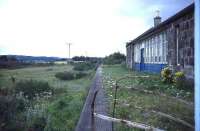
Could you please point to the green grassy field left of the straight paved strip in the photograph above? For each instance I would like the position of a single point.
(60, 111)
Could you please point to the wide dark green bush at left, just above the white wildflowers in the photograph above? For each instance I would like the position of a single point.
(31, 88)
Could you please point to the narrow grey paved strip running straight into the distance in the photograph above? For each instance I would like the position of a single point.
(86, 122)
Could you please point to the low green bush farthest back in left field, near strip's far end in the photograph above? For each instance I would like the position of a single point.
(83, 66)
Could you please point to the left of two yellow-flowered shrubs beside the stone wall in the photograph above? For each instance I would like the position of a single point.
(166, 75)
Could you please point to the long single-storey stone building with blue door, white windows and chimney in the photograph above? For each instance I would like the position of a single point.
(168, 43)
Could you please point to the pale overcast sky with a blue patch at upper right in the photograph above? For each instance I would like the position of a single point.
(93, 27)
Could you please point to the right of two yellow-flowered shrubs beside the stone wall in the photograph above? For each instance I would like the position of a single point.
(179, 79)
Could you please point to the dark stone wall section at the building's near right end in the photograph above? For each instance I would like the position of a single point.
(185, 27)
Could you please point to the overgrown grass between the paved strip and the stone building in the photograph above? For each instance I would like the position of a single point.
(138, 106)
